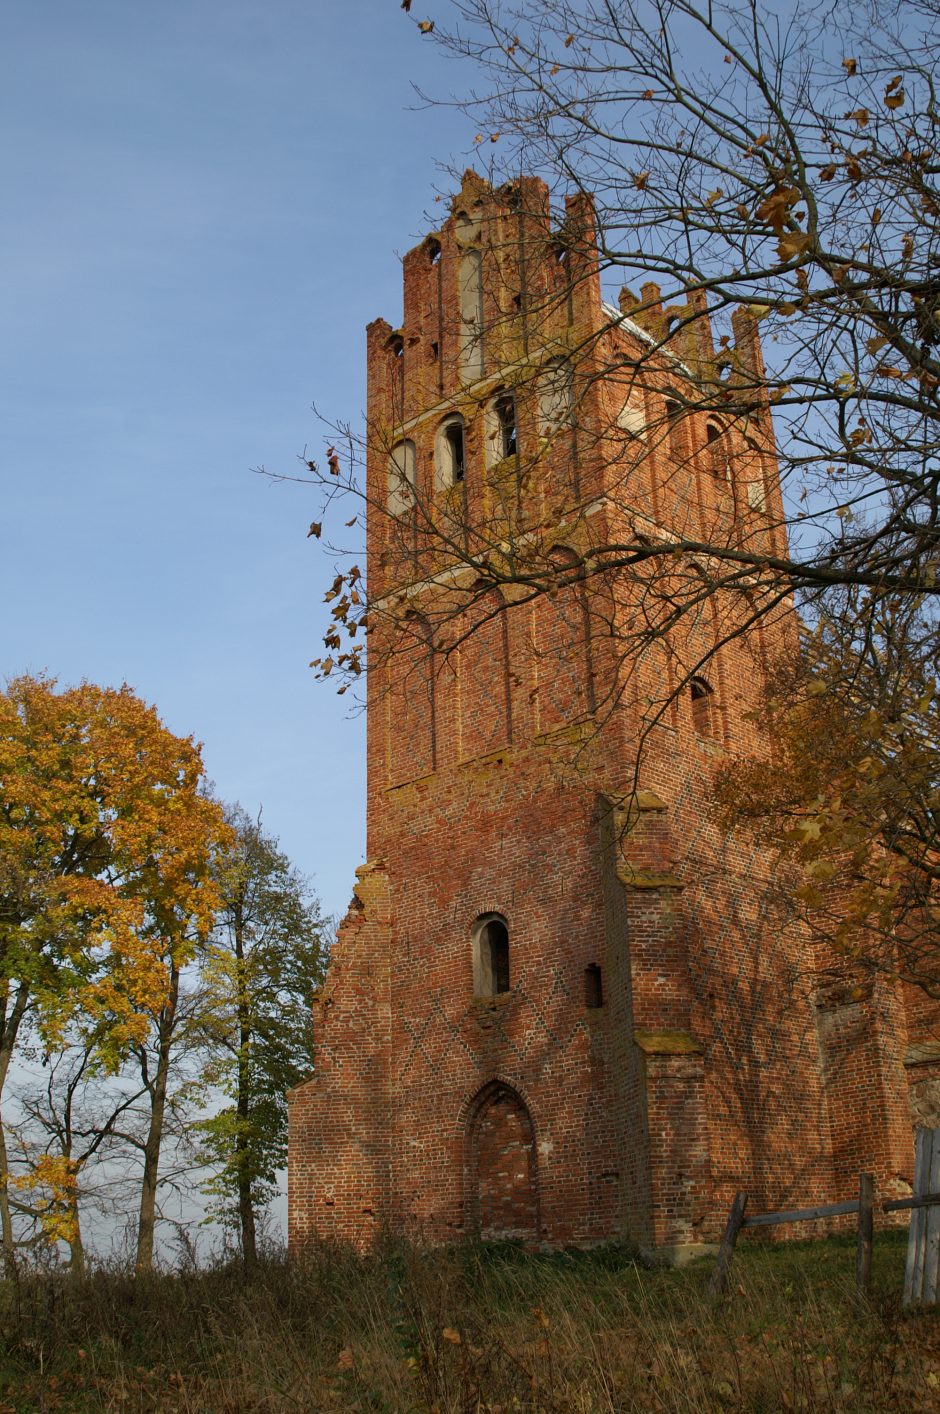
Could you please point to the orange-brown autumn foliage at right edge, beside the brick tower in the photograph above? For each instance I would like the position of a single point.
(850, 794)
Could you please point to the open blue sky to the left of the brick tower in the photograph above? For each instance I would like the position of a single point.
(203, 209)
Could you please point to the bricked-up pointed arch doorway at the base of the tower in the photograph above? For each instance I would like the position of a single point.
(503, 1166)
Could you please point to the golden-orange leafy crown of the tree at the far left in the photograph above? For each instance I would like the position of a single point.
(105, 873)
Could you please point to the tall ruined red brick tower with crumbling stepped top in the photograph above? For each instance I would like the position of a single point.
(562, 1007)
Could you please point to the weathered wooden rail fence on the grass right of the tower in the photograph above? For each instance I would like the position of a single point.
(922, 1275)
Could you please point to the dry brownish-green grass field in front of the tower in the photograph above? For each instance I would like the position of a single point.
(477, 1330)
